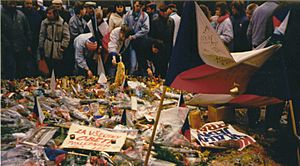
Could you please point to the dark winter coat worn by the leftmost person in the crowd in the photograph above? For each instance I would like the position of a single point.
(15, 31)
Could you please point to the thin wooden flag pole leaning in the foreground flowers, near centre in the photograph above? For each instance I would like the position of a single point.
(155, 125)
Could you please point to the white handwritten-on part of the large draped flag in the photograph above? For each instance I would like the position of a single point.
(214, 53)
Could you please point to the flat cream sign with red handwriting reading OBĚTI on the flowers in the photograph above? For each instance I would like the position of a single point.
(89, 138)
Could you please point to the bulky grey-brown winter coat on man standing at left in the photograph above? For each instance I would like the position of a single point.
(54, 35)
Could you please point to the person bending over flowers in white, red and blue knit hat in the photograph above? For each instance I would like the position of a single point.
(87, 53)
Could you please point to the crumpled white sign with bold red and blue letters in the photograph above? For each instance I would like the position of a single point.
(212, 133)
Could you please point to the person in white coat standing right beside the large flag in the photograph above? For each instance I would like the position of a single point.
(172, 12)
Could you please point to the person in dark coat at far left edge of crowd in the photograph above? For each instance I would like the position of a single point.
(16, 41)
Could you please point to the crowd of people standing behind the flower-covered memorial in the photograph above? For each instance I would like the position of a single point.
(72, 43)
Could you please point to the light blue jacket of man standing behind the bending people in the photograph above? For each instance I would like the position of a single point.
(139, 23)
